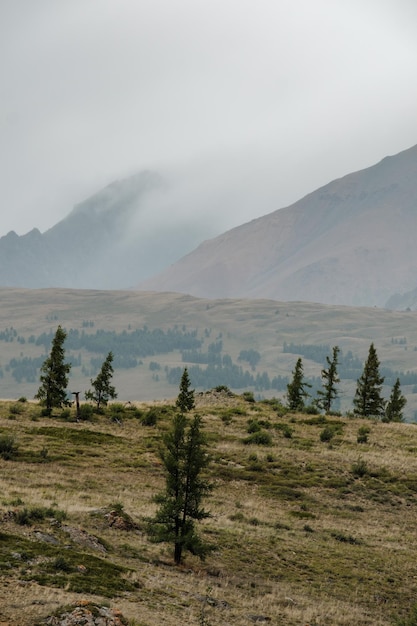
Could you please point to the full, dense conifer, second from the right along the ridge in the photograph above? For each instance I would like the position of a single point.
(368, 401)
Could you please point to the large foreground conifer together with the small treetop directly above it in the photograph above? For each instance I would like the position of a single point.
(184, 457)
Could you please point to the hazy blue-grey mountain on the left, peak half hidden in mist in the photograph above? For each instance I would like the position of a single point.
(108, 241)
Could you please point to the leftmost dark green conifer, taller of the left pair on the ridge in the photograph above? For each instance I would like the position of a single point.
(54, 375)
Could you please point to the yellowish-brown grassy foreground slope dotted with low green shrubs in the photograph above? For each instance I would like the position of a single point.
(313, 528)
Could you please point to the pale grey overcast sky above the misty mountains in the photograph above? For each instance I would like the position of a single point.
(245, 105)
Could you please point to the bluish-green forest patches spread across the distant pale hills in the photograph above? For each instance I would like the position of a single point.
(208, 364)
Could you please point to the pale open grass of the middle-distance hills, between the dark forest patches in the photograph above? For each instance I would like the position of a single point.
(261, 325)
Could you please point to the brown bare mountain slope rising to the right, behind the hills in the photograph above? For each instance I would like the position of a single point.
(350, 242)
